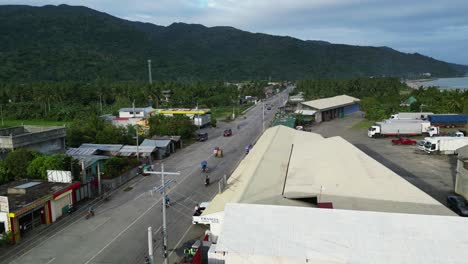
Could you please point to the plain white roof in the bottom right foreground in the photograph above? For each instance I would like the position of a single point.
(292, 235)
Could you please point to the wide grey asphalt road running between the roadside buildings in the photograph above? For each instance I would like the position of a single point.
(118, 231)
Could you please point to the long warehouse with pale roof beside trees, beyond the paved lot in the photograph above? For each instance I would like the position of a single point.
(332, 107)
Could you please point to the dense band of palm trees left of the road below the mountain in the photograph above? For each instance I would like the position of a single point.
(67, 101)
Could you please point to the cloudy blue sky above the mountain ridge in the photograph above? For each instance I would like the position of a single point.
(437, 28)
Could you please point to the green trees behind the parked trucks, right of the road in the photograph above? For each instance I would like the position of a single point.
(381, 97)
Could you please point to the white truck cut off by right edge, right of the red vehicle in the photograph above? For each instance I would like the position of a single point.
(444, 145)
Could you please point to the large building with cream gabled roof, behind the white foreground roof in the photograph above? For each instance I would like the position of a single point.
(296, 168)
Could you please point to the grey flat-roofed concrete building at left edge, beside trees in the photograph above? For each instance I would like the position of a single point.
(45, 139)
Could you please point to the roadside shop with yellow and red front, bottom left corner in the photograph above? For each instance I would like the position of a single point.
(28, 205)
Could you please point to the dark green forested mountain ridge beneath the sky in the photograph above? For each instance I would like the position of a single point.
(80, 44)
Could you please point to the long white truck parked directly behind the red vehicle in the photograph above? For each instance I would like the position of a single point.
(397, 127)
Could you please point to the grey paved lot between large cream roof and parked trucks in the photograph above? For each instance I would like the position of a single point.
(434, 174)
